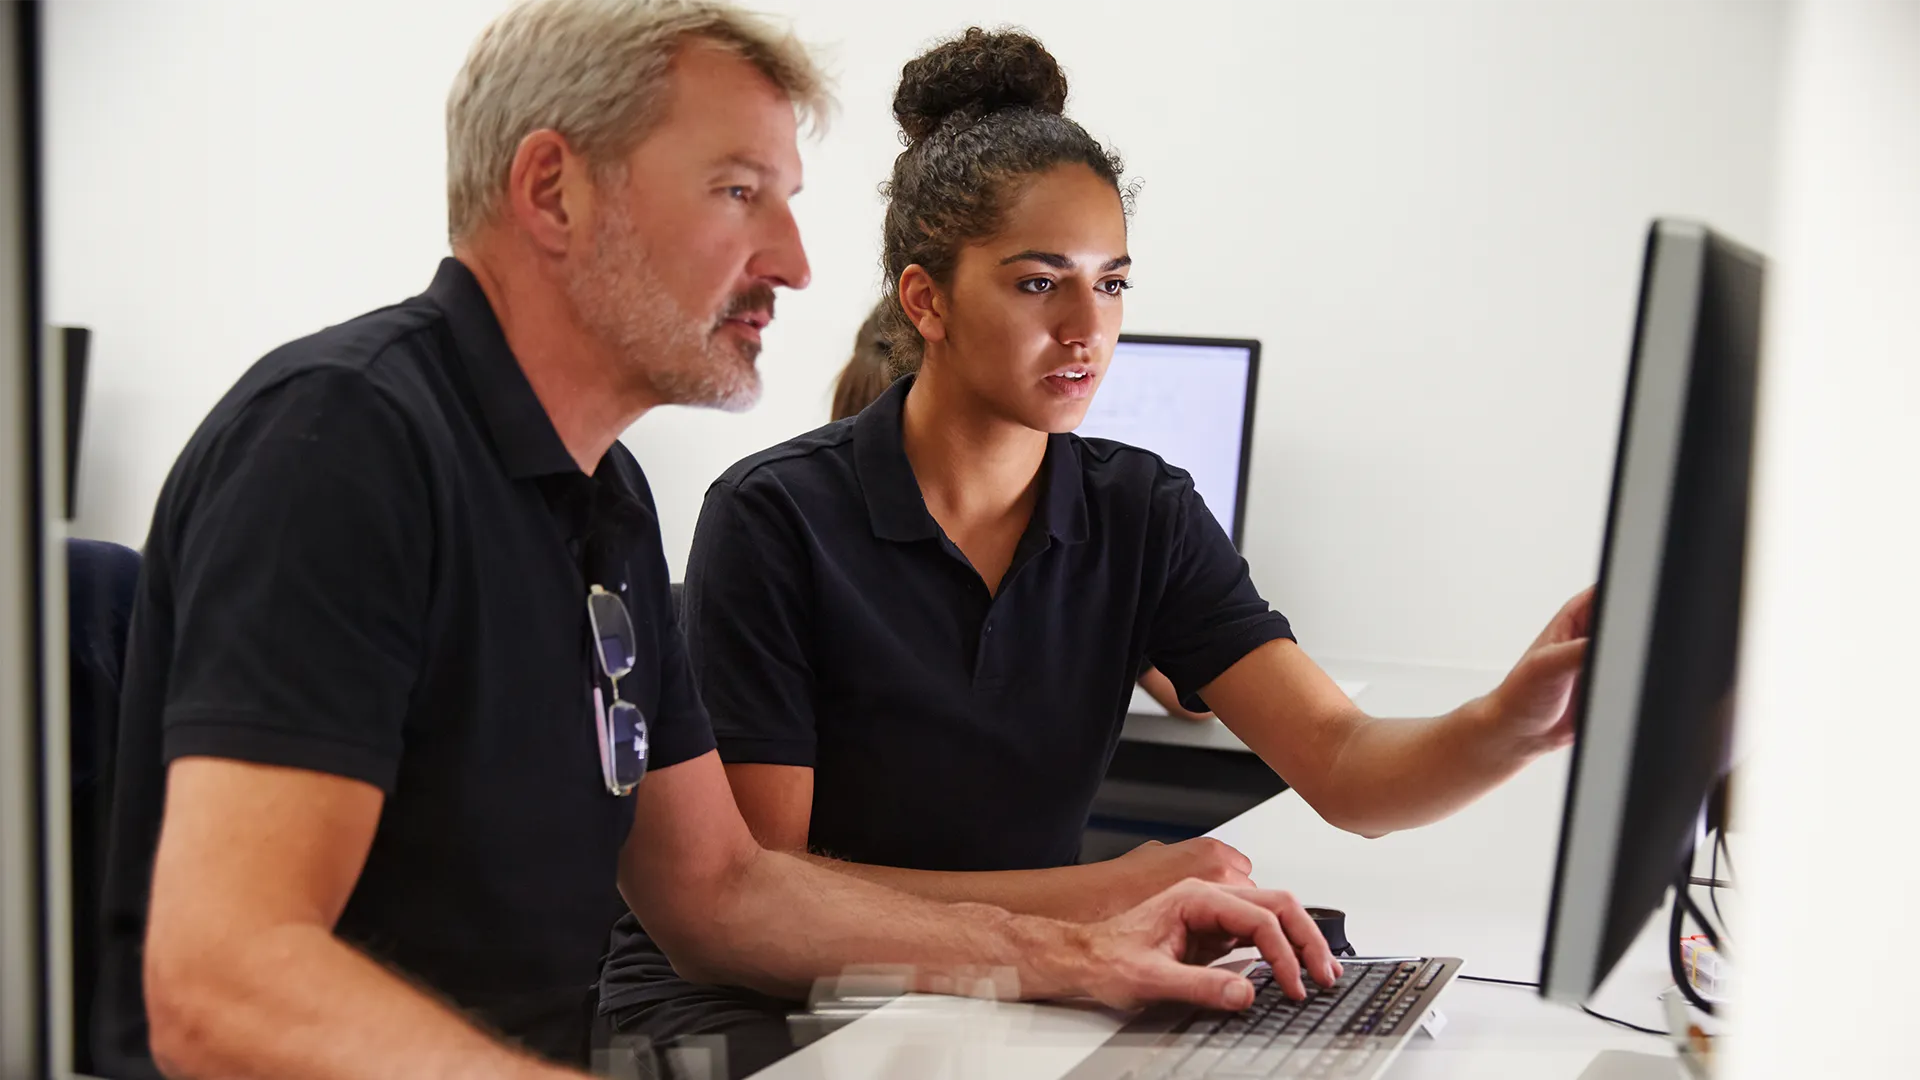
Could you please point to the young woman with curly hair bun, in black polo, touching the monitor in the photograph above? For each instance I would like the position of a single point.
(919, 629)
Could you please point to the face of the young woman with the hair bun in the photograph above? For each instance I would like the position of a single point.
(1032, 314)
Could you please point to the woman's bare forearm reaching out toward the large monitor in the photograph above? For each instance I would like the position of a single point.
(1393, 775)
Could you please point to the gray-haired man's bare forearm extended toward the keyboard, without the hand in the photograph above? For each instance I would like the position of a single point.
(852, 921)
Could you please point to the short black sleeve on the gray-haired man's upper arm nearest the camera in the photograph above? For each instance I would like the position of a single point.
(300, 576)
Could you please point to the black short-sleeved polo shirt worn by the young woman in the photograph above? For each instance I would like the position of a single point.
(834, 626)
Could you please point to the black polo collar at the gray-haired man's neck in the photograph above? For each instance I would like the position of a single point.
(519, 426)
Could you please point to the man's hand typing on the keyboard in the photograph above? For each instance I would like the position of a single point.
(1159, 950)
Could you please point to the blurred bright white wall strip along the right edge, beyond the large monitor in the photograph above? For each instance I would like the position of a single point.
(1829, 706)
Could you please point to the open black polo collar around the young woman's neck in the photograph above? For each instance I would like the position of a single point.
(900, 512)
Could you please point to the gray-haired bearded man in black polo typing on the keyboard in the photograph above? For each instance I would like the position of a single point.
(406, 714)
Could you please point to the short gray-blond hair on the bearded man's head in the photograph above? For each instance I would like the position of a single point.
(594, 72)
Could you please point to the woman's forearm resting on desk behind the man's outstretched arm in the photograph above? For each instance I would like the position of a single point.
(1076, 895)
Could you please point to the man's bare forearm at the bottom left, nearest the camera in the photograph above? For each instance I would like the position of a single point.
(297, 1002)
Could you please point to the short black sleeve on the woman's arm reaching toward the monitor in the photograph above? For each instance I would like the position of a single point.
(1211, 614)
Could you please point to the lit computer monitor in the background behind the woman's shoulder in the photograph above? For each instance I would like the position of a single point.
(1189, 401)
